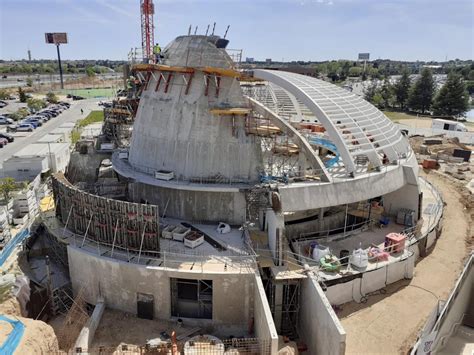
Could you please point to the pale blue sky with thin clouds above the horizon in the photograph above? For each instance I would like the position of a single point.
(286, 30)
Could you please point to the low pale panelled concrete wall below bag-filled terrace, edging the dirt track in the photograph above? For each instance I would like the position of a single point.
(371, 281)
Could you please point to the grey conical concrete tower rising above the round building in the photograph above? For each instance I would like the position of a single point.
(174, 129)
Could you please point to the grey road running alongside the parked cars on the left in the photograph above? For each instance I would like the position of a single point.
(24, 138)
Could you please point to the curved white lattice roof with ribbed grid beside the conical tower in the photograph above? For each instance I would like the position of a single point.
(354, 125)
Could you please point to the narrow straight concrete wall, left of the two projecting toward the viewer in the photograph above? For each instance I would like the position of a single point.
(264, 327)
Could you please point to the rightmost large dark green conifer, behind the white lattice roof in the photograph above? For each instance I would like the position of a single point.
(453, 98)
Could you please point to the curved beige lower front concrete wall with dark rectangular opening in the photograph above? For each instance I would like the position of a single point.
(118, 283)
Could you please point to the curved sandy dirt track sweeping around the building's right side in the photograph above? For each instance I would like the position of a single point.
(389, 323)
